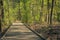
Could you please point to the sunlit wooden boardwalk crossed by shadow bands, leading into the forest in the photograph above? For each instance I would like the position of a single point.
(19, 32)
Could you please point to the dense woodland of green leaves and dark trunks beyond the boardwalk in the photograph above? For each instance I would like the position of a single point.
(39, 14)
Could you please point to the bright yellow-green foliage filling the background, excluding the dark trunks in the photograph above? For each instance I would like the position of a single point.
(30, 11)
